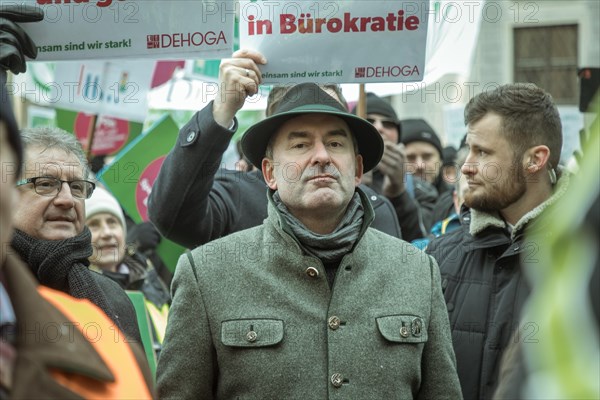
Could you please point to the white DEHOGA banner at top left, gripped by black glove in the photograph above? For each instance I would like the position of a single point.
(104, 29)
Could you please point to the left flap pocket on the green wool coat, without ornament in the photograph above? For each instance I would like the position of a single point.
(251, 332)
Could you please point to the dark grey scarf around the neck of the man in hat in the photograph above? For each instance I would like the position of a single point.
(329, 248)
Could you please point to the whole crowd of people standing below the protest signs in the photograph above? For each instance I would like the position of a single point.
(353, 256)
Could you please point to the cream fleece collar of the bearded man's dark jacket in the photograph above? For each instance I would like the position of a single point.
(480, 220)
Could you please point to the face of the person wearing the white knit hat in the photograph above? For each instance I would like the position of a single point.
(108, 240)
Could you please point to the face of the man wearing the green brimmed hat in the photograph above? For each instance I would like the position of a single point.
(314, 167)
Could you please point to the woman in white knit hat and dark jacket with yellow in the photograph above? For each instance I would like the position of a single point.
(114, 258)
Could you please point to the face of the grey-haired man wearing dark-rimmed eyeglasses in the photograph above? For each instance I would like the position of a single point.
(50, 217)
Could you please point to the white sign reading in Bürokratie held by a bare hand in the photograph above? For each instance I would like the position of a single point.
(345, 41)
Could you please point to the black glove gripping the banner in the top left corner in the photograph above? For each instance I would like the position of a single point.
(15, 44)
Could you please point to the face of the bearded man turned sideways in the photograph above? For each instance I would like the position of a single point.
(495, 178)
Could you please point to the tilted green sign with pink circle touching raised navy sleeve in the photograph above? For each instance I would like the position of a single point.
(133, 171)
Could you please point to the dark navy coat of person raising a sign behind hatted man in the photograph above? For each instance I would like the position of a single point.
(194, 201)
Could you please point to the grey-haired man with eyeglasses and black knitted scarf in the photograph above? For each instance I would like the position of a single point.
(51, 236)
